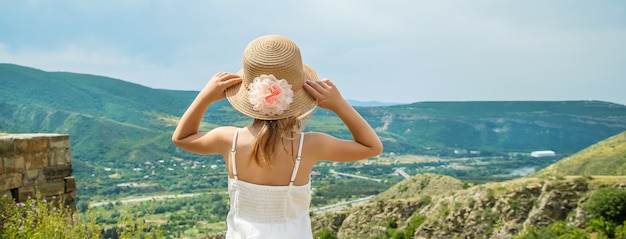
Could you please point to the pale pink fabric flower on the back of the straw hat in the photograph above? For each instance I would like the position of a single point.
(269, 95)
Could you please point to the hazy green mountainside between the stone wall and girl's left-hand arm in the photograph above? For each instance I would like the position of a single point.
(107, 119)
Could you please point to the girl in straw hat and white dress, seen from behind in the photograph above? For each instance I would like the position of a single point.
(270, 160)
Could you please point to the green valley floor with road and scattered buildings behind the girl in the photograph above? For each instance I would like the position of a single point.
(187, 203)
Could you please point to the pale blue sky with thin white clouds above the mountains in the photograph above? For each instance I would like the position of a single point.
(388, 51)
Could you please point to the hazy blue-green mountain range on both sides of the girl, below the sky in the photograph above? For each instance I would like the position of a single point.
(111, 120)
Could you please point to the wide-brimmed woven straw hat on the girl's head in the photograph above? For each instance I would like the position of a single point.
(280, 57)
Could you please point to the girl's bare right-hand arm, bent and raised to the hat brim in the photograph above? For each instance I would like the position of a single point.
(366, 143)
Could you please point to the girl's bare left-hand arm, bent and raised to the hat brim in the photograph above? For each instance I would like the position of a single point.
(186, 135)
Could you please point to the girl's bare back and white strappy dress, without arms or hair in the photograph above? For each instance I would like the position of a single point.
(261, 206)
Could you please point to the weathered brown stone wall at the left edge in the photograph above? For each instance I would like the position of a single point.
(31, 163)
